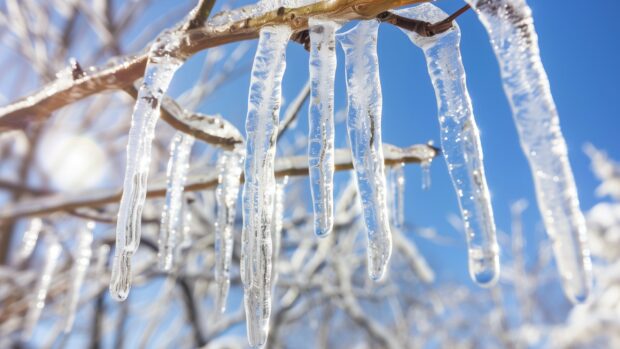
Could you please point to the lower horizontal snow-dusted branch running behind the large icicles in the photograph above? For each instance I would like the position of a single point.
(287, 166)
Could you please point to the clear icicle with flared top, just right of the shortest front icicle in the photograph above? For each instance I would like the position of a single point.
(364, 130)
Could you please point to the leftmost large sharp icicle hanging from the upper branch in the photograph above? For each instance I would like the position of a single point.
(160, 69)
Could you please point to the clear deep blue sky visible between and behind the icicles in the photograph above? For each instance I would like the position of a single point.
(580, 48)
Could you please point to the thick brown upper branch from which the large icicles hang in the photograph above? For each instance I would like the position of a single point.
(39, 105)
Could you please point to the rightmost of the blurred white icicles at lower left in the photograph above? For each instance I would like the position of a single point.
(81, 262)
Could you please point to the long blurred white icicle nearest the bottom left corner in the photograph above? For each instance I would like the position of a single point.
(38, 302)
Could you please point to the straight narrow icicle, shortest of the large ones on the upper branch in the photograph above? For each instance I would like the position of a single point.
(321, 117)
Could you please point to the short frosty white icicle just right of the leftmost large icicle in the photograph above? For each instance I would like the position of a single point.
(171, 216)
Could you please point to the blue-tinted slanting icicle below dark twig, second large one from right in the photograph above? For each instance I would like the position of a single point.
(460, 141)
